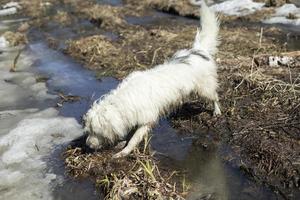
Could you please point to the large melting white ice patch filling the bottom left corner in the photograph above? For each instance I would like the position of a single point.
(24, 151)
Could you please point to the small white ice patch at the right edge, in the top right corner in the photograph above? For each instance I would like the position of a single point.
(282, 15)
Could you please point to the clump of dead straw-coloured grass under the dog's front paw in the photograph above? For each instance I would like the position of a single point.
(140, 176)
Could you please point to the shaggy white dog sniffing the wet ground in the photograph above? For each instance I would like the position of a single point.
(144, 96)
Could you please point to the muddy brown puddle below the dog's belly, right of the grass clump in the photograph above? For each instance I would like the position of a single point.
(210, 177)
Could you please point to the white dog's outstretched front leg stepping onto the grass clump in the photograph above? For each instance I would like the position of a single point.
(137, 137)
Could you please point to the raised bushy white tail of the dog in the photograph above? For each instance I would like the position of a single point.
(207, 38)
